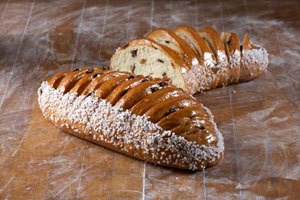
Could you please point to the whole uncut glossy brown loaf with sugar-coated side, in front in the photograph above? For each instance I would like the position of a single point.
(145, 118)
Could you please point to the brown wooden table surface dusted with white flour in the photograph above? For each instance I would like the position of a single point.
(259, 119)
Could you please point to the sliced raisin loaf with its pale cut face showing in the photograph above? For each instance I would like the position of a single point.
(194, 61)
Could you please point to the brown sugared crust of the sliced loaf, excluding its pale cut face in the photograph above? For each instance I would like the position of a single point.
(221, 59)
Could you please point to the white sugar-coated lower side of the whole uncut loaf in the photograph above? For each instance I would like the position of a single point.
(124, 130)
